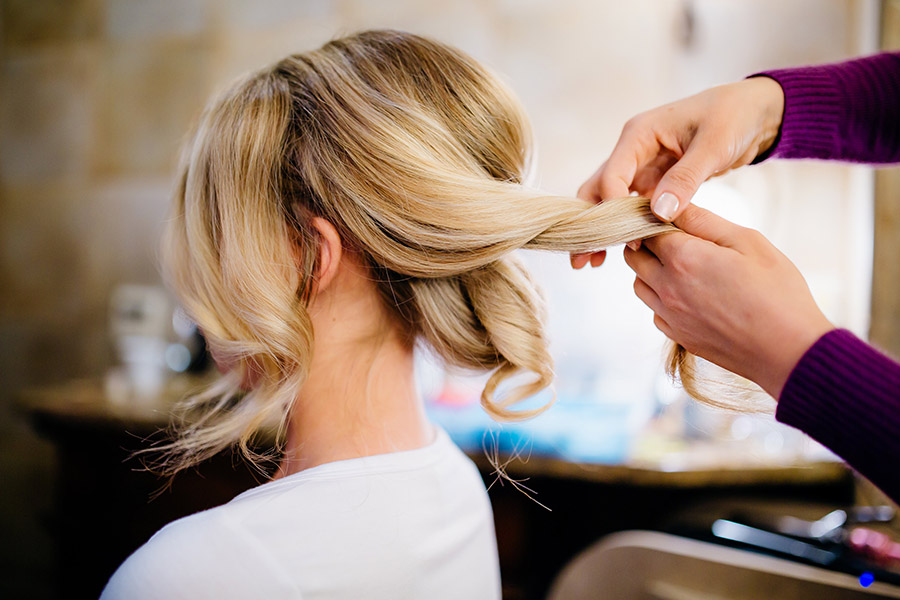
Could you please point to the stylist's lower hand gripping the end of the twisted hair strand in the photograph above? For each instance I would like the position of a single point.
(727, 294)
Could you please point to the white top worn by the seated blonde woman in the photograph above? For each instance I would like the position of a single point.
(413, 524)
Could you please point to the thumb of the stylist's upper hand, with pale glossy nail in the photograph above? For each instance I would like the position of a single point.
(676, 188)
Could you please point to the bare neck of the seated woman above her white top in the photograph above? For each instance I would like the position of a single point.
(359, 400)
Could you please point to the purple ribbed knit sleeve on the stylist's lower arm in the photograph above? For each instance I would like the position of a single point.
(846, 395)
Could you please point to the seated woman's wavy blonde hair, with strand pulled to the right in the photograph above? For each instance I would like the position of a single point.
(417, 155)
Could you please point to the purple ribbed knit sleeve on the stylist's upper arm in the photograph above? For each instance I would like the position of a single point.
(847, 111)
